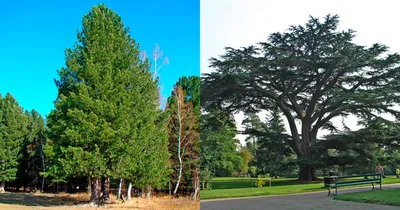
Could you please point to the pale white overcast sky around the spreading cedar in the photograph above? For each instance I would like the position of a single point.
(240, 23)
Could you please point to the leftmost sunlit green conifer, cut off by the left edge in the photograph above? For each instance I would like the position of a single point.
(13, 129)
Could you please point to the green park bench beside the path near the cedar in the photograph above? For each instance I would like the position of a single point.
(338, 181)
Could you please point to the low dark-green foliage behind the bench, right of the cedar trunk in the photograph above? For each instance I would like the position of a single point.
(360, 151)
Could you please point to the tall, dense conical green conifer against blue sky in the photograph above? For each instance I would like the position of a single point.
(106, 108)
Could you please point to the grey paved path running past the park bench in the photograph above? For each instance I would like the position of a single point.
(306, 201)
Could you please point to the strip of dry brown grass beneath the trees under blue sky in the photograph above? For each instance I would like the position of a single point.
(25, 201)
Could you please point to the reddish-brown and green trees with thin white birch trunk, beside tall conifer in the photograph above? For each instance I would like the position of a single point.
(183, 107)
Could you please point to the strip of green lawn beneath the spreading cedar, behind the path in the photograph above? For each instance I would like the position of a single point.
(229, 187)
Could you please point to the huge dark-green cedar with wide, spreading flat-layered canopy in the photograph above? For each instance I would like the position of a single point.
(313, 73)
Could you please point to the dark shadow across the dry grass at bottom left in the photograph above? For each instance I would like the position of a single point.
(39, 200)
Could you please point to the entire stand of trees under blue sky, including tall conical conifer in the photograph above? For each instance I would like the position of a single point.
(107, 125)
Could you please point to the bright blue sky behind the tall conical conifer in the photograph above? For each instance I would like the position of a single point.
(35, 34)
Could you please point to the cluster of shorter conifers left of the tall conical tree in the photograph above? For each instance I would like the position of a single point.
(21, 134)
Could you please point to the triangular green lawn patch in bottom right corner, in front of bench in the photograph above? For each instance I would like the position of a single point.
(386, 197)
